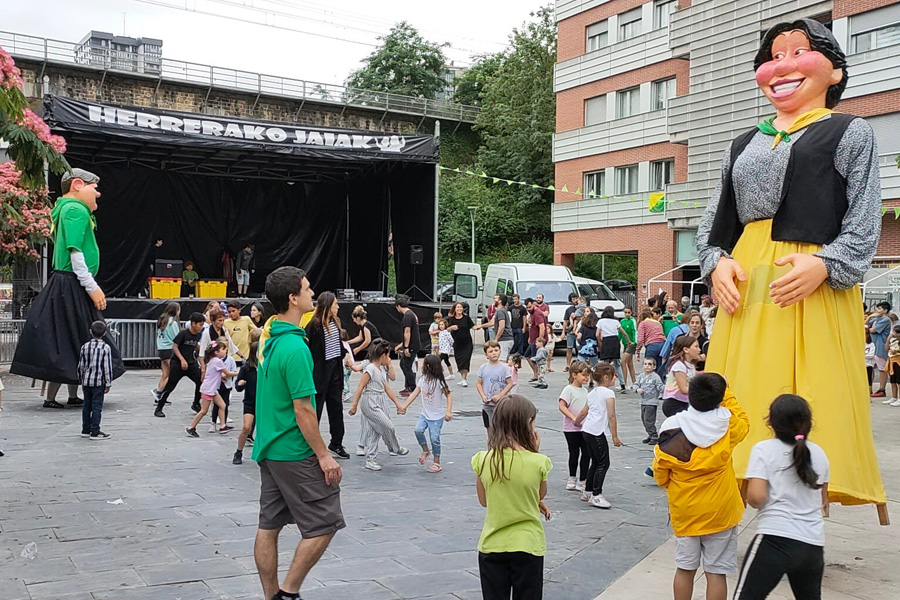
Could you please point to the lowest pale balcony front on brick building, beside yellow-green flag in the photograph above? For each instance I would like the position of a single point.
(598, 213)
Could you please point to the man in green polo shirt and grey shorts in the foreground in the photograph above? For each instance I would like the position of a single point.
(299, 478)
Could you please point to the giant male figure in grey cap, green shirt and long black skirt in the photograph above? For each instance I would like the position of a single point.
(59, 321)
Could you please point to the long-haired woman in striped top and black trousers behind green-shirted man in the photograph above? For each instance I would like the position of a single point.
(324, 331)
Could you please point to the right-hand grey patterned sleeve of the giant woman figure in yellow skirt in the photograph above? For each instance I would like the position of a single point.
(849, 256)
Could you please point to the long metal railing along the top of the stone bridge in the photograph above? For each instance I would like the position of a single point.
(166, 69)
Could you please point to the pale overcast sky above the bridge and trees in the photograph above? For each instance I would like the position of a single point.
(316, 40)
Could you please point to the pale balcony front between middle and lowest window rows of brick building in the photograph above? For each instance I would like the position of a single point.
(629, 132)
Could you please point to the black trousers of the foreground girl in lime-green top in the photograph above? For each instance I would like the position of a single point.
(518, 573)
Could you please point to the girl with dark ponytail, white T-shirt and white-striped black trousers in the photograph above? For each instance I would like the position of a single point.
(788, 482)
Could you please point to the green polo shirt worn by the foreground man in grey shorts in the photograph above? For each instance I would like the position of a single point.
(285, 375)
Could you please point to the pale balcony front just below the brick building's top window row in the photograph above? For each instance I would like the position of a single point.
(620, 57)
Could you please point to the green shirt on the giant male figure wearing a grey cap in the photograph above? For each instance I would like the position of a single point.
(73, 232)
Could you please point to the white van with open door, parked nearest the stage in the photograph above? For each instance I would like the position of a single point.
(526, 279)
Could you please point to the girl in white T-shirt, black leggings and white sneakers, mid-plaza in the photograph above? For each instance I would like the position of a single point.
(598, 421)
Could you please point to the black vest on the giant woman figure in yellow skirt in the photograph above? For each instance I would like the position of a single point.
(813, 197)
